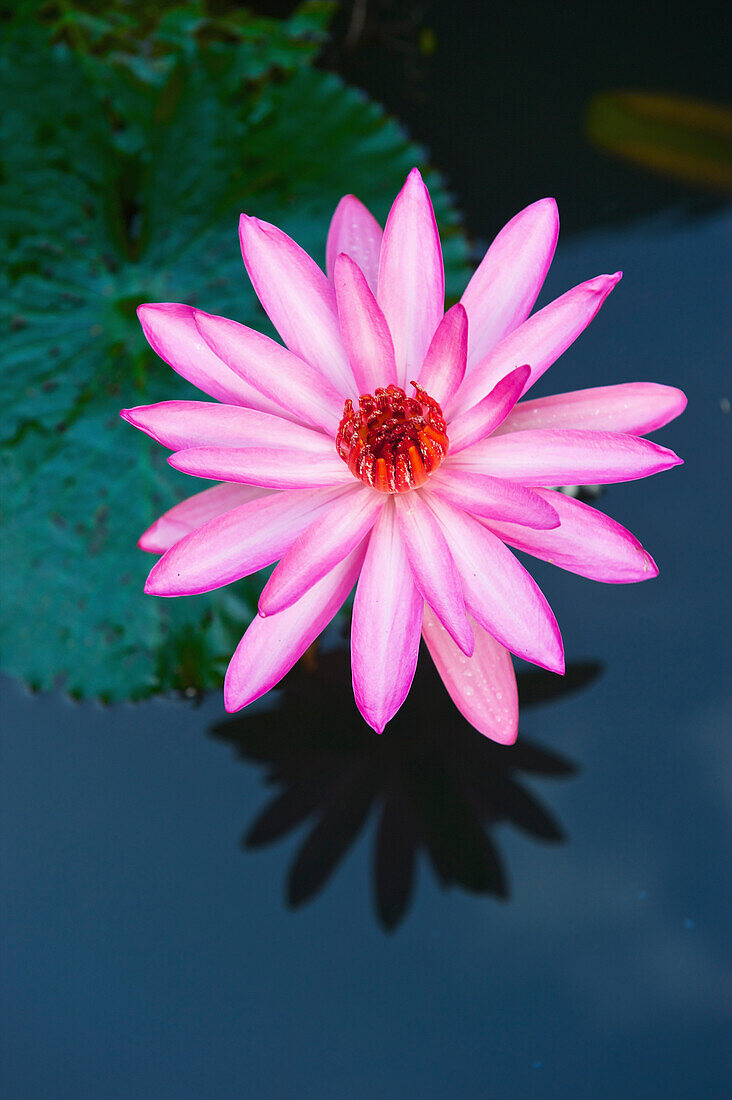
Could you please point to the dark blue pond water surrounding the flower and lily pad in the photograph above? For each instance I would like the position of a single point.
(424, 915)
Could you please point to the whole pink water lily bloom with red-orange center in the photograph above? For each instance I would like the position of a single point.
(385, 448)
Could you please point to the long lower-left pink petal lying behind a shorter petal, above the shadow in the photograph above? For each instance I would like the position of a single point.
(272, 645)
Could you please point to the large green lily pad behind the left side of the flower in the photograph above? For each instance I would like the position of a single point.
(126, 162)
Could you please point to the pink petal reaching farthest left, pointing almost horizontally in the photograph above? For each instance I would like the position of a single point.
(180, 425)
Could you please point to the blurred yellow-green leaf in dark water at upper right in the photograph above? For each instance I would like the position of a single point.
(689, 139)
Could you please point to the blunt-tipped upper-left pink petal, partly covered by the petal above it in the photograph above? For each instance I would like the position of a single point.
(172, 334)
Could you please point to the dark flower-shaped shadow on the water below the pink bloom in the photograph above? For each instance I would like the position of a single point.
(434, 785)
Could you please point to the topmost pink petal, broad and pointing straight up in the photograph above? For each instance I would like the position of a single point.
(411, 277)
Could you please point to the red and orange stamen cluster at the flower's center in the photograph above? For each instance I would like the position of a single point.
(392, 443)
